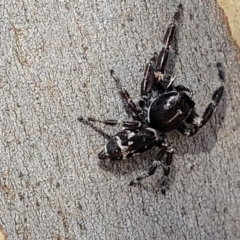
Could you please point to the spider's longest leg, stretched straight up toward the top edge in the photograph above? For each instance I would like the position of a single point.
(169, 35)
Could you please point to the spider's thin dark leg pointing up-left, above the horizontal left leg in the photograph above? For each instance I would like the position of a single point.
(127, 101)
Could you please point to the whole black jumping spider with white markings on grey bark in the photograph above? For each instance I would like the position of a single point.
(163, 107)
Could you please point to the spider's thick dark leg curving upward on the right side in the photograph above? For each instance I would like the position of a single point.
(198, 121)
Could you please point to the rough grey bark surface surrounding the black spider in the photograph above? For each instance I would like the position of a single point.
(55, 58)
